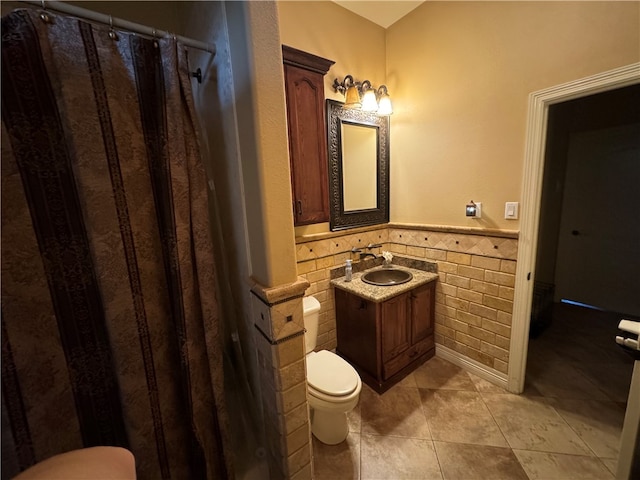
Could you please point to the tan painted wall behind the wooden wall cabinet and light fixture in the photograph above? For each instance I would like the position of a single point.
(330, 31)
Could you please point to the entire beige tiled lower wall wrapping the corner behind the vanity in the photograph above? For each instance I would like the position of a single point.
(474, 294)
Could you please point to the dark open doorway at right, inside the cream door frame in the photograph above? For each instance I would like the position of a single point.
(587, 263)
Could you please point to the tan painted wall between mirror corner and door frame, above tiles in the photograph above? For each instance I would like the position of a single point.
(460, 74)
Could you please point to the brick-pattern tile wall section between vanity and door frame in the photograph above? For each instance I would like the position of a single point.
(474, 294)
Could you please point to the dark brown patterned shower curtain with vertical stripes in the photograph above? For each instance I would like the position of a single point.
(110, 334)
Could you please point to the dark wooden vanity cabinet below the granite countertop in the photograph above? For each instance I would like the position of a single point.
(386, 341)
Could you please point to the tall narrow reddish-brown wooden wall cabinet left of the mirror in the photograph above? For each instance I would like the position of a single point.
(304, 86)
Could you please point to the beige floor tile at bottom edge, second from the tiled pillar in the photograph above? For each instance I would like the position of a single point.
(397, 458)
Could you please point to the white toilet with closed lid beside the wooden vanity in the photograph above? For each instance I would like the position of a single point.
(333, 386)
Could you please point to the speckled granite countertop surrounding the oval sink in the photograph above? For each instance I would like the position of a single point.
(376, 293)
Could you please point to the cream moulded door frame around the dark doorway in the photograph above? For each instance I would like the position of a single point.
(535, 143)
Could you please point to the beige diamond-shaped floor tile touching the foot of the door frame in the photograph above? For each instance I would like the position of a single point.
(529, 423)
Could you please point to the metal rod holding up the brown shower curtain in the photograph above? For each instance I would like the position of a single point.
(117, 23)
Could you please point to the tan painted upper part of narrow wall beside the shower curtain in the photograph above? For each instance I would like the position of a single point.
(267, 179)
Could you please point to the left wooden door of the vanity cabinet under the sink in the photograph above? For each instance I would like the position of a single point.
(396, 327)
